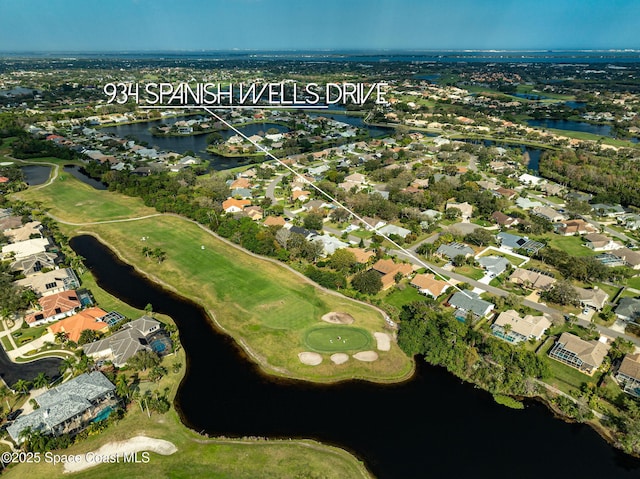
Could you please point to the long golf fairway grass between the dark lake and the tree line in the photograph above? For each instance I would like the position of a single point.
(259, 302)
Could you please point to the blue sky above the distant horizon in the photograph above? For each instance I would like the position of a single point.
(159, 25)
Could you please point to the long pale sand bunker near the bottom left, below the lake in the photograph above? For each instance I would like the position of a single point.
(119, 449)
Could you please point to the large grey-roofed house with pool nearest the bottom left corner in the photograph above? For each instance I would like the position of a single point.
(67, 408)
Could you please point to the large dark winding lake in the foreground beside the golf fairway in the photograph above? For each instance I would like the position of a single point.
(433, 426)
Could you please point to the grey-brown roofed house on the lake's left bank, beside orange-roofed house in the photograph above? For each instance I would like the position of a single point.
(126, 342)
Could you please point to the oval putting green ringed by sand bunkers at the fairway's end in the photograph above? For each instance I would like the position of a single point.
(331, 339)
